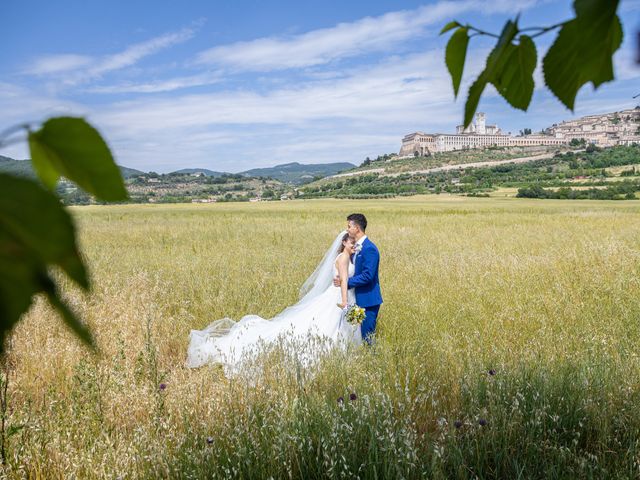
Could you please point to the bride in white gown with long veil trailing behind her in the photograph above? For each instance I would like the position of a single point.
(318, 314)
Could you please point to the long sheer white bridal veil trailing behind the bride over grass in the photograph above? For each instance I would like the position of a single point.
(230, 337)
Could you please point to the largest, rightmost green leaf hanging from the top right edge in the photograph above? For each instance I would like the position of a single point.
(583, 51)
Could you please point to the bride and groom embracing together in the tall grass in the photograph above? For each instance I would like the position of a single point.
(347, 275)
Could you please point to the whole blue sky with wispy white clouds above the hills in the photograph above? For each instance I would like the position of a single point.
(235, 85)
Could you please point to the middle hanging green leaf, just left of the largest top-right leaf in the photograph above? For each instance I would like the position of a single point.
(513, 75)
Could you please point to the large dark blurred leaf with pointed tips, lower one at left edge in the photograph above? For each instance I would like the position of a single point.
(36, 232)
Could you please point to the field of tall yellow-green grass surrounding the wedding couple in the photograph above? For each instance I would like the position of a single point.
(508, 346)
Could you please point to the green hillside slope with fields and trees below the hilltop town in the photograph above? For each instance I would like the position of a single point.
(612, 173)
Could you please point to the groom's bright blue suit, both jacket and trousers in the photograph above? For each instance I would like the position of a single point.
(367, 286)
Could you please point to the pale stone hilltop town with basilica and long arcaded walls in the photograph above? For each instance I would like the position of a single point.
(604, 130)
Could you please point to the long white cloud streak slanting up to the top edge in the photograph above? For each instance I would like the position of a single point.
(370, 34)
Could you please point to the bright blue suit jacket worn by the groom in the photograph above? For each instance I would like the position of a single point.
(365, 278)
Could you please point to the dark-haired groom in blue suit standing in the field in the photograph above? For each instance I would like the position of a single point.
(365, 279)
